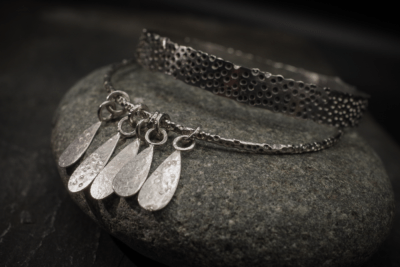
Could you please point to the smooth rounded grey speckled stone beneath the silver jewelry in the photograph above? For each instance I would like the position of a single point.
(330, 208)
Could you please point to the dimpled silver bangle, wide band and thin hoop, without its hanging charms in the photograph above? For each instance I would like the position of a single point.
(257, 88)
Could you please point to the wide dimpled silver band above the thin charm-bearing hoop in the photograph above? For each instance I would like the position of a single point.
(340, 106)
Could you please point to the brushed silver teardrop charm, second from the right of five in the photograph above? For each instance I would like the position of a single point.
(131, 177)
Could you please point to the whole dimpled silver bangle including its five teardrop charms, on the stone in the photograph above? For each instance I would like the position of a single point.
(127, 173)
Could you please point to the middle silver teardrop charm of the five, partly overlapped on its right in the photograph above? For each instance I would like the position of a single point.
(102, 185)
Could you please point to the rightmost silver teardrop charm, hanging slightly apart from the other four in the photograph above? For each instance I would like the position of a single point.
(159, 189)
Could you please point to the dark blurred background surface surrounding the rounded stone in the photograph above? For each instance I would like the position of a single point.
(46, 47)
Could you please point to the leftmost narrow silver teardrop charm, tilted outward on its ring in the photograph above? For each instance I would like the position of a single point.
(76, 149)
